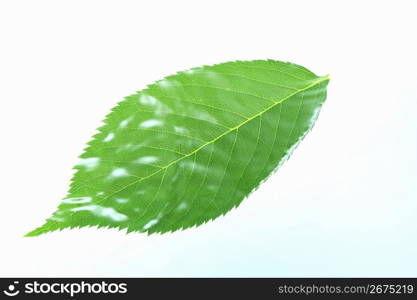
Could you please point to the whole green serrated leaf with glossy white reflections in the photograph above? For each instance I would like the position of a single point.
(190, 147)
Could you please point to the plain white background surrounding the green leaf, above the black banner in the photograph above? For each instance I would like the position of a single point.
(345, 204)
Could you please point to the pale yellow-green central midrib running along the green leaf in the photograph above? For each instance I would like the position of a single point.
(311, 85)
